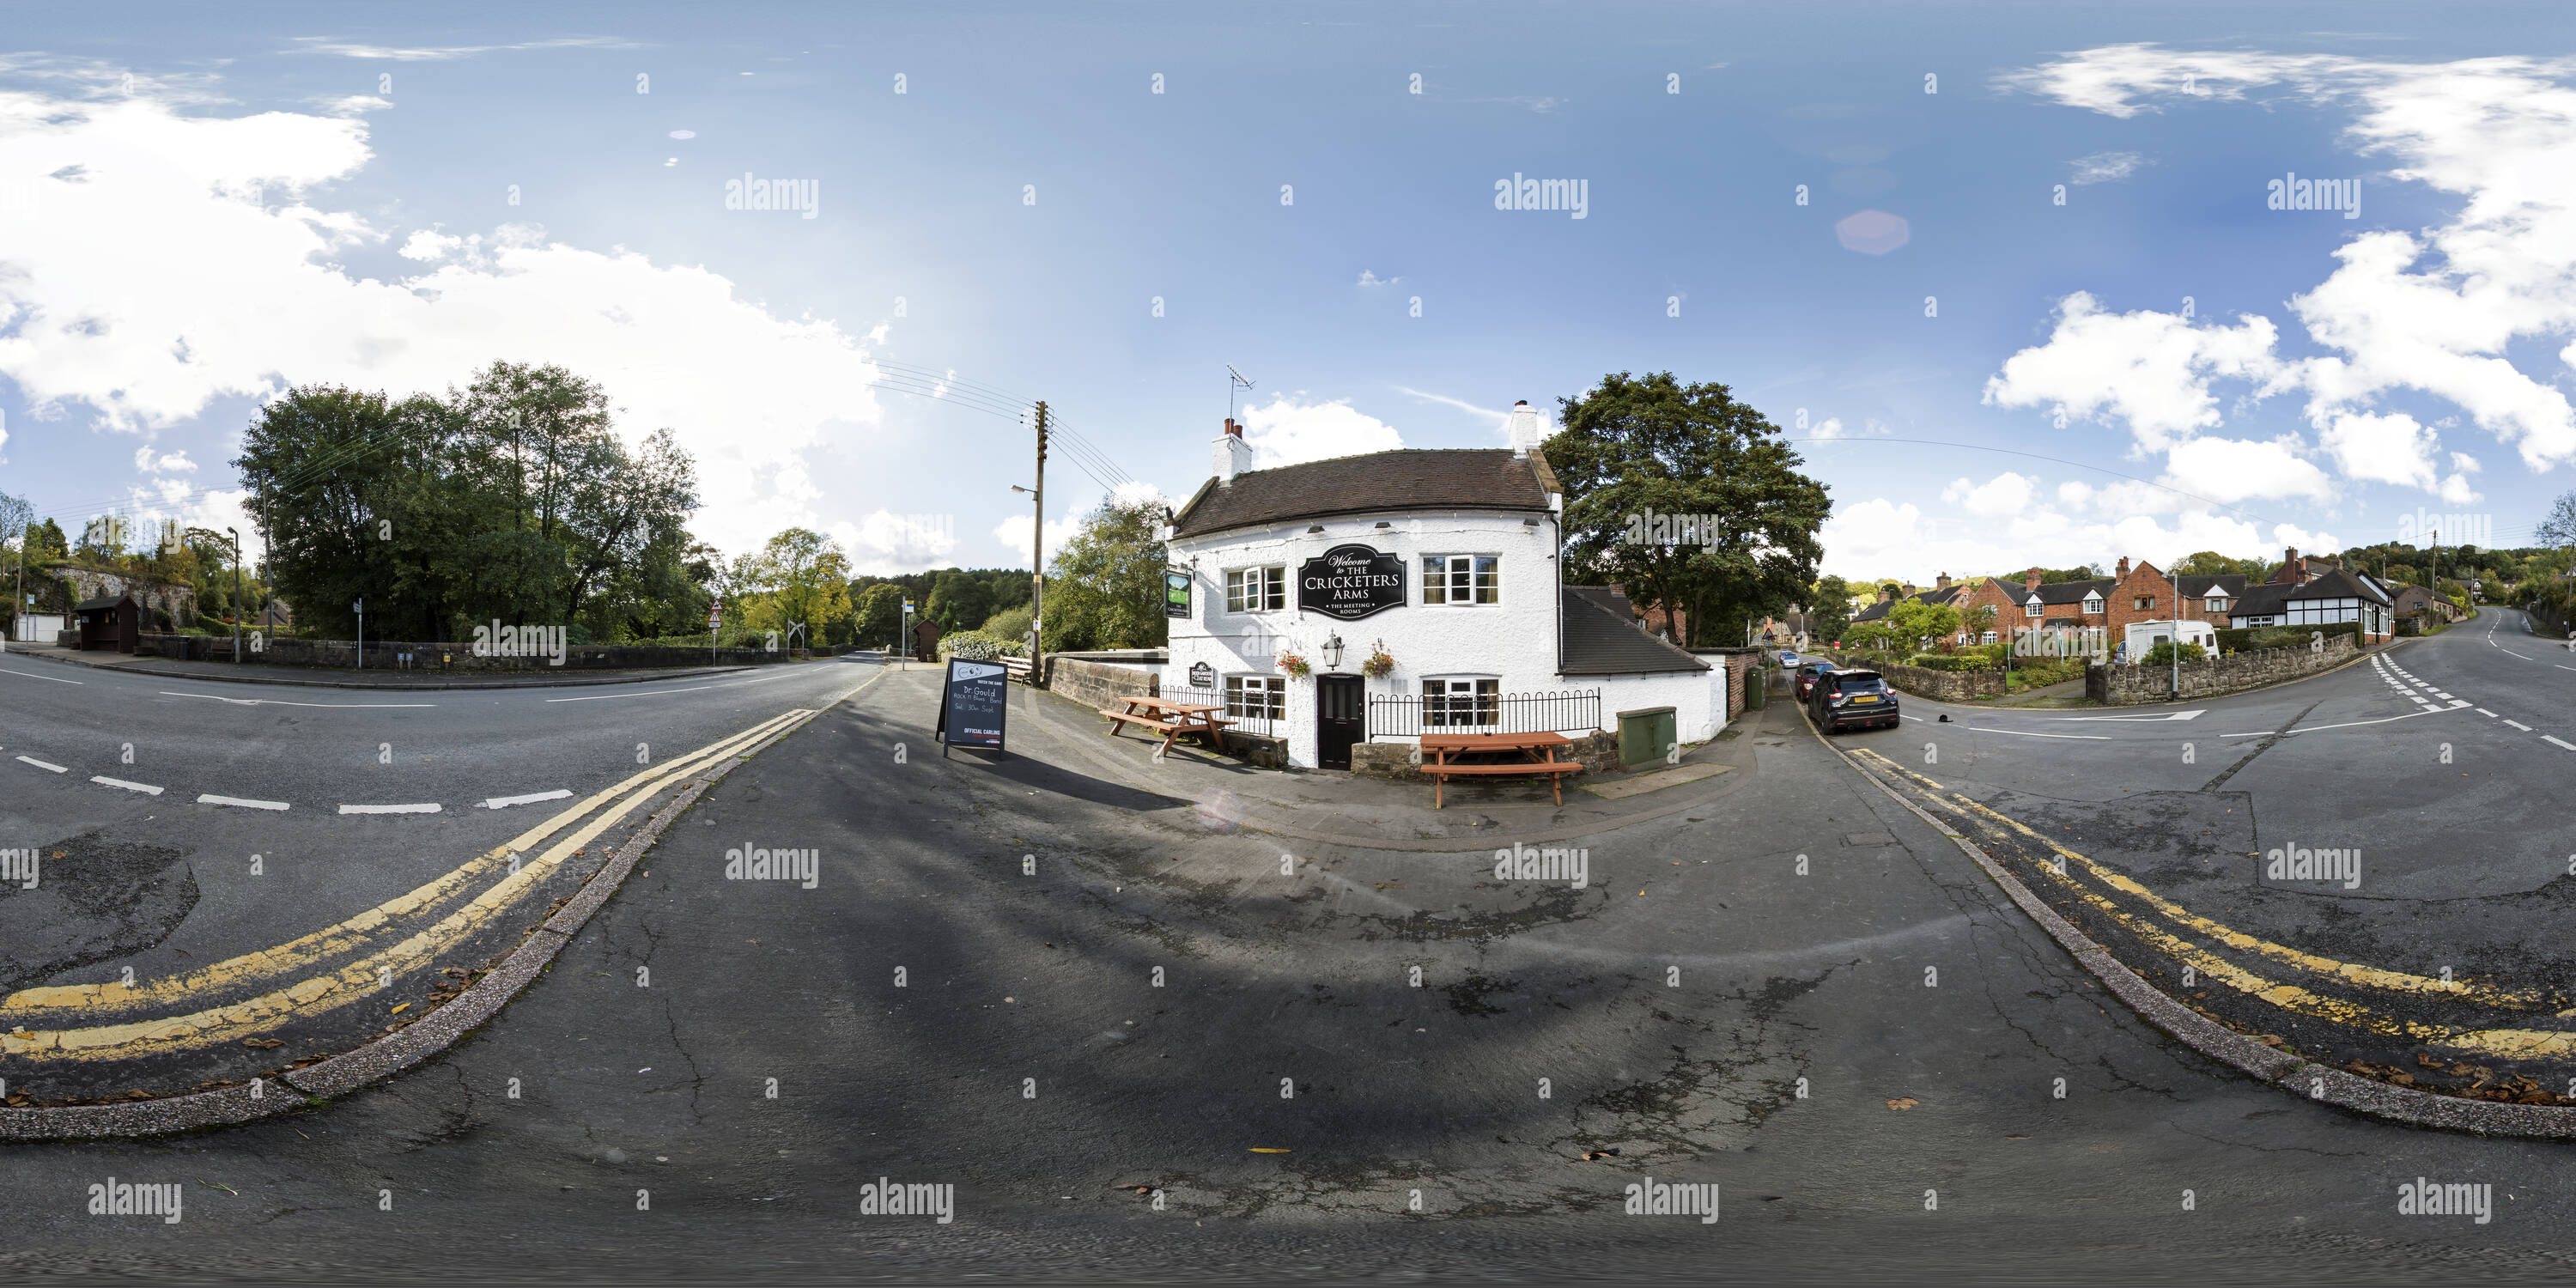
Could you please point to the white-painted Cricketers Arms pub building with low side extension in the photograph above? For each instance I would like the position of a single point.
(1441, 565)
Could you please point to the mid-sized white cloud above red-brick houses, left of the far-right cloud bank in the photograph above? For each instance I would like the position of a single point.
(2147, 370)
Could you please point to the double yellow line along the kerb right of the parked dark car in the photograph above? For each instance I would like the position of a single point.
(2299, 1001)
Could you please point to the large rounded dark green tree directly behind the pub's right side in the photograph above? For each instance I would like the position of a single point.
(1655, 447)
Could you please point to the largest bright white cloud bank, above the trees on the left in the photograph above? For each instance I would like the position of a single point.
(192, 261)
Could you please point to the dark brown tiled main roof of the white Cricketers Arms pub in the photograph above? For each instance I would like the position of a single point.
(1374, 483)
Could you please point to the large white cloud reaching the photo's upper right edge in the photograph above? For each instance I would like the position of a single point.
(2428, 310)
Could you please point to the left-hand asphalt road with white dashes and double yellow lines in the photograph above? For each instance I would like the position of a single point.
(192, 833)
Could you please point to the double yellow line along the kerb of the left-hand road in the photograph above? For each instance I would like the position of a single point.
(84, 1019)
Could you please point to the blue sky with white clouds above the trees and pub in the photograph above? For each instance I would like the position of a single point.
(2011, 274)
